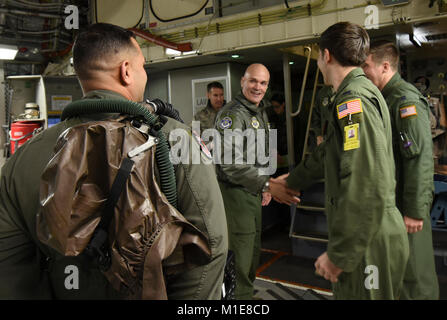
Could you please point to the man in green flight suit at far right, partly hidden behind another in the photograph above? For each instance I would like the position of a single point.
(413, 155)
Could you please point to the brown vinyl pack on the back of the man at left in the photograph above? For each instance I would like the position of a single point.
(143, 228)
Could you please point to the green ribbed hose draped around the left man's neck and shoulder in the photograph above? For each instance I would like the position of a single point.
(166, 169)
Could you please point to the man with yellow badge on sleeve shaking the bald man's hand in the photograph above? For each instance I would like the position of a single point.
(367, 250)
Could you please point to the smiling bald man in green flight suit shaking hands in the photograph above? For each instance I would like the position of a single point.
(243, 188)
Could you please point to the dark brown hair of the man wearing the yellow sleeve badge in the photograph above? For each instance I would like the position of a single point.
(347, 42)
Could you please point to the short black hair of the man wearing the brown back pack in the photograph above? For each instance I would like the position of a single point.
(95, 43)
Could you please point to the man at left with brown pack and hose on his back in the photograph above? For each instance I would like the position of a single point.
(110, 65)
